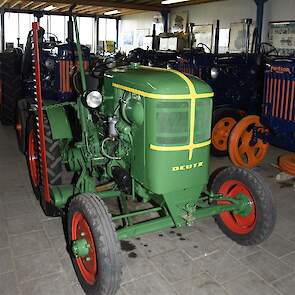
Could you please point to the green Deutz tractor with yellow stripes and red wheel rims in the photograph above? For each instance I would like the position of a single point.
(145, 139)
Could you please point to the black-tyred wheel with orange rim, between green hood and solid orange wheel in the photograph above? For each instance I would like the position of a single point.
(223, 122)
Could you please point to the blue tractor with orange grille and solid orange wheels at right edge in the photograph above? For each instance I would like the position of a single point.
(250, 139)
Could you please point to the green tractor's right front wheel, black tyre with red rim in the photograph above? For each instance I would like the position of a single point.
(258, 225)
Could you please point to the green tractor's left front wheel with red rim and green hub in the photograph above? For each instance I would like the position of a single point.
(95, 249)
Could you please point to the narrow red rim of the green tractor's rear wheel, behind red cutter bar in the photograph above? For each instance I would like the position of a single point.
(33, 159)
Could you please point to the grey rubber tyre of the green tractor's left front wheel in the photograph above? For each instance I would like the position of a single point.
(108, 250)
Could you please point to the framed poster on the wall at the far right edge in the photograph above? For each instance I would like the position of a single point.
(282, 36)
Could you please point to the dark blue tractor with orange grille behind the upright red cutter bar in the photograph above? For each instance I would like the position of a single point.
(58, 63)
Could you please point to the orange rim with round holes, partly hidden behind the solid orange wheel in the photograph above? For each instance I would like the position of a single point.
(221, 133)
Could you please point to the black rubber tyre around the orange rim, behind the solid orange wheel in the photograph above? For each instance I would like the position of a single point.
(217, 116)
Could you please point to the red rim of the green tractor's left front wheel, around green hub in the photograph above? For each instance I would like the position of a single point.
(81, 230)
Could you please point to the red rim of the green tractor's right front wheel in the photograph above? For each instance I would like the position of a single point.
(237, 223)
